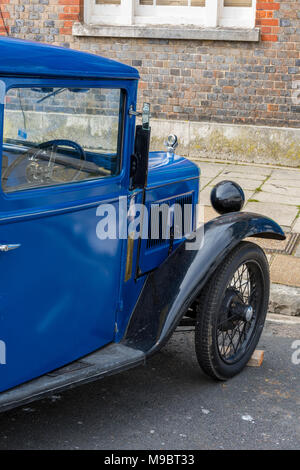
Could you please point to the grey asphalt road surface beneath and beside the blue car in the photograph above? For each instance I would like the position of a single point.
(170, 404)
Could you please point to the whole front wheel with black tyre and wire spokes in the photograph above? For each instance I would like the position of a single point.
(231, 312)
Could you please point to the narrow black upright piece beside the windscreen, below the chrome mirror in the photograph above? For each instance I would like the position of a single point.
(139, 160)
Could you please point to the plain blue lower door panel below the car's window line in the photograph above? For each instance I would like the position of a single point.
(58, 292)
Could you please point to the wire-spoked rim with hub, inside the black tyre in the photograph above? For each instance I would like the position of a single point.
(240, 311)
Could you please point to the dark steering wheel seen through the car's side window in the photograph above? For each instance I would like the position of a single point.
(39, 152)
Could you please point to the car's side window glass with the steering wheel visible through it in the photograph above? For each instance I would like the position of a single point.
(60, 135)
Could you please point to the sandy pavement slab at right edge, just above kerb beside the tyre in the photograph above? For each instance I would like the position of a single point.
(285, 270)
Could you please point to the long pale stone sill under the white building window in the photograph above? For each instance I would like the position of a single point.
(167, 32)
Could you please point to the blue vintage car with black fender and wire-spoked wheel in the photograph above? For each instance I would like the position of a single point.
(100, 254)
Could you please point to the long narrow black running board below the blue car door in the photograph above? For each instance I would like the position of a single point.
(106, 361)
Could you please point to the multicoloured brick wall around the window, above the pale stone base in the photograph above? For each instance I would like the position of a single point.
(217, 81)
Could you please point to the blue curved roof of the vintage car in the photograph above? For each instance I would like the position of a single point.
(20, 57)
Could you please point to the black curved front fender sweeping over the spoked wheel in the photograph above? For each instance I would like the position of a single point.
(171, 288)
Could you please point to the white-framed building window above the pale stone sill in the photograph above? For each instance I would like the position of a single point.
(202, 13)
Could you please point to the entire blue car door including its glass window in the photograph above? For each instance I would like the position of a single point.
(59, 282)
